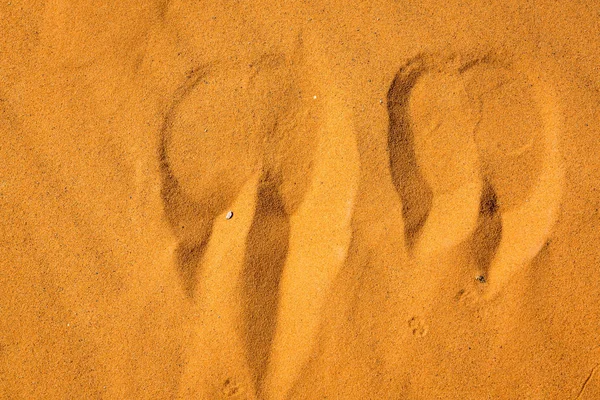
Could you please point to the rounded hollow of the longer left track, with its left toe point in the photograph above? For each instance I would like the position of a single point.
(219, 131)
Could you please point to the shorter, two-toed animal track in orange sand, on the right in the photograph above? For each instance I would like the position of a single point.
(473, 146)
